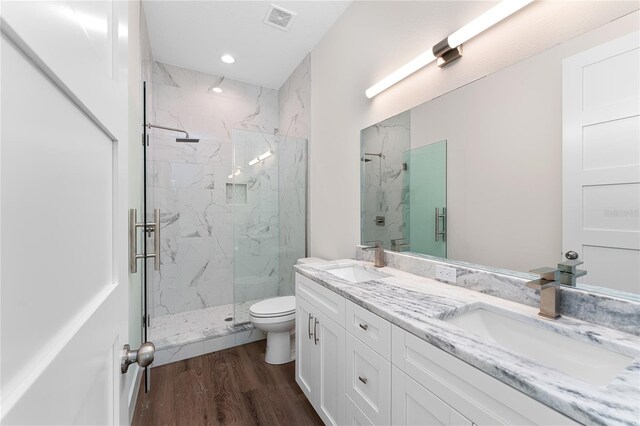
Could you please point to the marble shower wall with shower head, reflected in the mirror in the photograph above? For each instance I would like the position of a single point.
(384, 188)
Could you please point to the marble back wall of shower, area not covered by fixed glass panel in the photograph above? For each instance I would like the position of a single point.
(189, 182)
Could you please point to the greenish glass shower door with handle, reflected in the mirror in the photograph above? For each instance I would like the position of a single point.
(427, 167)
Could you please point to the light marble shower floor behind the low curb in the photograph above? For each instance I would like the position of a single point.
(193, 326)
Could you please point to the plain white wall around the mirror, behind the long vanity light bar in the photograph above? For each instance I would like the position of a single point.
(371, 40)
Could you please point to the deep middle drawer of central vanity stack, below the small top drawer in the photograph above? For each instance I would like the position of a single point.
(368, 381)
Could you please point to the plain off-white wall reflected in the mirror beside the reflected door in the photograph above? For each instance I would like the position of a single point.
(504, 156)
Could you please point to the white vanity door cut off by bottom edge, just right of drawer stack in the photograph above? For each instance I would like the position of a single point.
(415, 405)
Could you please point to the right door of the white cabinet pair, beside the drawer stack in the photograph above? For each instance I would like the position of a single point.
(330, 342)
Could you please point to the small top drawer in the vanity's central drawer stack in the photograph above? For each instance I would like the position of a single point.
(371, 329)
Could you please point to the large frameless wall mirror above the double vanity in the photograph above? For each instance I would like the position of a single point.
(520, 166)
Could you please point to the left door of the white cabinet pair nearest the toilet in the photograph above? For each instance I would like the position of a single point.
(306, 351)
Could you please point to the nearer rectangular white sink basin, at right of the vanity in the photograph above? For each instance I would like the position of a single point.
(590, 363)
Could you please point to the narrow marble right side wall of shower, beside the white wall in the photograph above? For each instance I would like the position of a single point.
(294, 100)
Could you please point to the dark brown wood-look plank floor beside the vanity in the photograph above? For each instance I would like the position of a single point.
(230, 387)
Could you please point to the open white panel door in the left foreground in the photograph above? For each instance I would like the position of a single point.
(63, 171)
